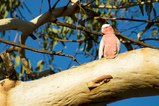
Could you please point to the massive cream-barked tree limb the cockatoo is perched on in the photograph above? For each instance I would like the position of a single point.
(135, 74)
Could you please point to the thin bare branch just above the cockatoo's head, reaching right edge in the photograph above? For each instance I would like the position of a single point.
(150, 21)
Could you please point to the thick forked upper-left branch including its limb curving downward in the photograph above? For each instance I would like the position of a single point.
(27, 28)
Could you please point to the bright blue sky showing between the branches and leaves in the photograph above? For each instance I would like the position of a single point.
(34, 6)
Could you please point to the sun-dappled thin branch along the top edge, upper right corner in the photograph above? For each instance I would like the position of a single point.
(120, 7)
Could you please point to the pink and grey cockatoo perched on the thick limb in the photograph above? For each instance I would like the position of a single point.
(109, 44)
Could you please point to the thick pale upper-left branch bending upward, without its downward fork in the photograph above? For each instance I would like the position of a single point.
(29, 27)
